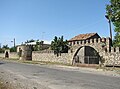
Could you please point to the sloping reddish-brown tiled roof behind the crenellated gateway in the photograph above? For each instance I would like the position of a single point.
(82, 36)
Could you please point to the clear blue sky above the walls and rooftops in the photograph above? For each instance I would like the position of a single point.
(45, 19)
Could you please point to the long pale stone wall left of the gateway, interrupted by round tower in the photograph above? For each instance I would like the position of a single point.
(48, 56)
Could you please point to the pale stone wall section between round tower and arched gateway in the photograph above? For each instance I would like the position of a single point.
(65, 58)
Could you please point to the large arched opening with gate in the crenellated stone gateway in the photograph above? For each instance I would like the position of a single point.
(86, 55)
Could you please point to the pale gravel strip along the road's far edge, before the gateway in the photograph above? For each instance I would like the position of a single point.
(88, 70)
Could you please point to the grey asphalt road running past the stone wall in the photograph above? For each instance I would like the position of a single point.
(52, 77)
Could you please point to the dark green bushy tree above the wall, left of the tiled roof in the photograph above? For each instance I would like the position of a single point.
(59, 45)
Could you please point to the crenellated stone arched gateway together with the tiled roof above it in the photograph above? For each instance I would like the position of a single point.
(88, 48)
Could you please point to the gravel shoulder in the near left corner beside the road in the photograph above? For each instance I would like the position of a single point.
(16, 81)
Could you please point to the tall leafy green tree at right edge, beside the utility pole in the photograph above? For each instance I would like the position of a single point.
(113, 14)
